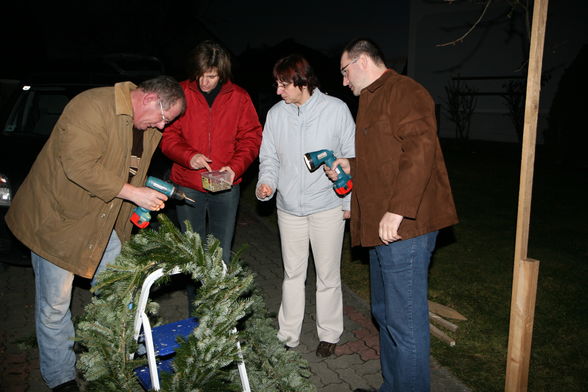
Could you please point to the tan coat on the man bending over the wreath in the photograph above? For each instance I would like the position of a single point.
(67, 207)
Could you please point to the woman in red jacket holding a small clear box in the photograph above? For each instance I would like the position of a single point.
(219, 131)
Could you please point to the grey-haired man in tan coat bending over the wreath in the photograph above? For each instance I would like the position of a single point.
(73, 208)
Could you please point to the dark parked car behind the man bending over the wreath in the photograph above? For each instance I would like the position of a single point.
(28, 114)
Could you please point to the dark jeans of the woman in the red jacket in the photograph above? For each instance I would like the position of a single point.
(221, 209)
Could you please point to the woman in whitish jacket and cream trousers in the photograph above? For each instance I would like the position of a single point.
(309, 210)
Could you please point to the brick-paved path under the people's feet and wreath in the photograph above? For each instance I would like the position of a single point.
(356, 363)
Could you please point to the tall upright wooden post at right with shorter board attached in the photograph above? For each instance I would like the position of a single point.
(526, 271)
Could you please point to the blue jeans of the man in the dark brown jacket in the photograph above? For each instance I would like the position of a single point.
(399, 274)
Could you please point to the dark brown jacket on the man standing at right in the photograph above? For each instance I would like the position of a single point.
(399, 166)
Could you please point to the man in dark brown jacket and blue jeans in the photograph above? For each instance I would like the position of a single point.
(401, 198)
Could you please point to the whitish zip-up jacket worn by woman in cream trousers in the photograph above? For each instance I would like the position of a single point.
(290, 131)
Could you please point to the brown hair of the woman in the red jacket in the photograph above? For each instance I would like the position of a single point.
(207, 55)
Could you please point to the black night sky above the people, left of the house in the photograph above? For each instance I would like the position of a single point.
(74, 29)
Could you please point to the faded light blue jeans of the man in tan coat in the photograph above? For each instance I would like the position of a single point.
(55, 330)
